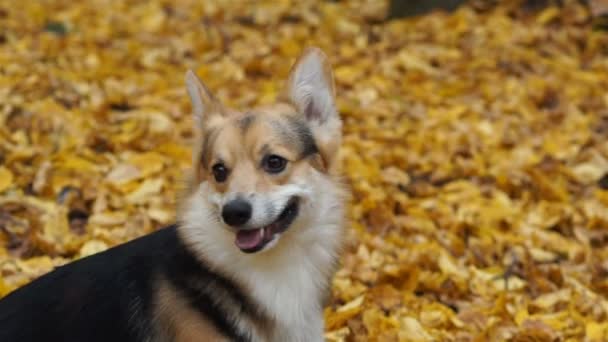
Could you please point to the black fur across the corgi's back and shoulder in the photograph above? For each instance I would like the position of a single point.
(109, 296)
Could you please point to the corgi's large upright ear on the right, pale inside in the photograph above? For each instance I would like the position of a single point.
(310, 88)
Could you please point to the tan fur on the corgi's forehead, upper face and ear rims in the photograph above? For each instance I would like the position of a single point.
(232, 145)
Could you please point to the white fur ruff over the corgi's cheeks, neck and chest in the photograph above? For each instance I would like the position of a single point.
(290, 281)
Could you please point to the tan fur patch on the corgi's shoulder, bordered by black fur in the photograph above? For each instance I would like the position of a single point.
(181, 322)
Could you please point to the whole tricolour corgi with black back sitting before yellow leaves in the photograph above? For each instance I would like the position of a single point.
(252, 254)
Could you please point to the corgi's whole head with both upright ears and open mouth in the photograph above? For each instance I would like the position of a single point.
(268, 171)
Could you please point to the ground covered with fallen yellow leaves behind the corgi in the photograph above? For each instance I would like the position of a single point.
(475, 147)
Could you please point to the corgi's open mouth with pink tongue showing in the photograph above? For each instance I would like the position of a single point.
(254, 240)
